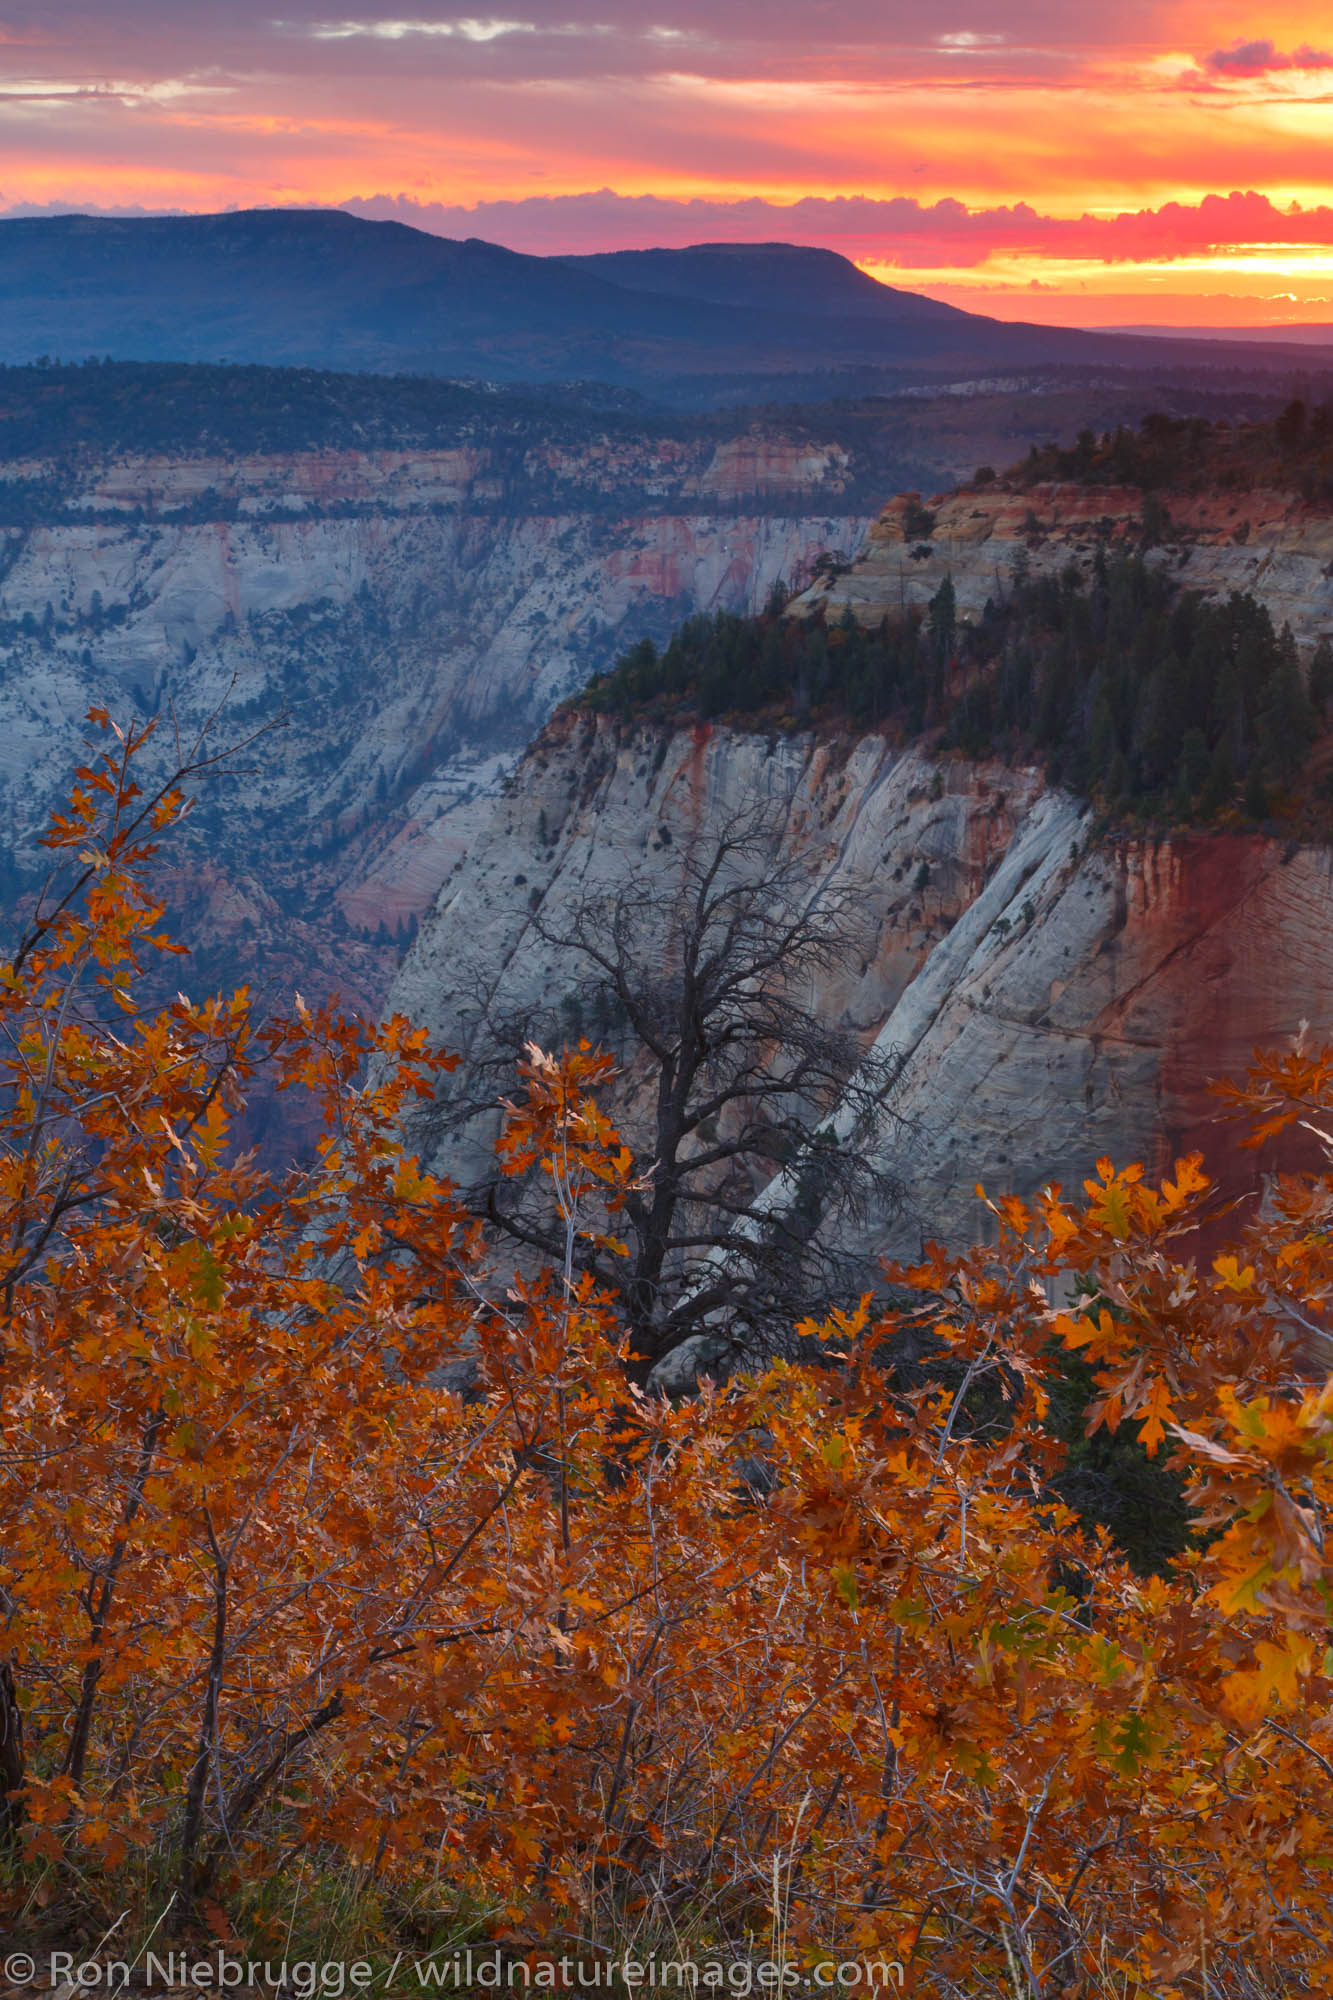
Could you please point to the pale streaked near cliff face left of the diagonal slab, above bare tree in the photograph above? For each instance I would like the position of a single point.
(593, 807)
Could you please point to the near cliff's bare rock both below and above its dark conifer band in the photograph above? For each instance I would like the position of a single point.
(1050, 987)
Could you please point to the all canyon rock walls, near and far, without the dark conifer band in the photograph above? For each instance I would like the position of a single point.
(385, 621)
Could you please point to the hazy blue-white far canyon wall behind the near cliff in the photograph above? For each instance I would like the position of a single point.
(397, 621)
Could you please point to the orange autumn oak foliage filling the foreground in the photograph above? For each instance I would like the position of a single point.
(325, 1533)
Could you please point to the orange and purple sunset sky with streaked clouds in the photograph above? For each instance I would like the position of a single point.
(1138, 161)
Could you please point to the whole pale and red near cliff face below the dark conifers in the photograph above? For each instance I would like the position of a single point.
(1050, 999)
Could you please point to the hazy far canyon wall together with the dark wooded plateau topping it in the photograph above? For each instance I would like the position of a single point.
(381, 589)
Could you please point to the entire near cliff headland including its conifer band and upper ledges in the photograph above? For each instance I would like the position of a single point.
(1072, 769)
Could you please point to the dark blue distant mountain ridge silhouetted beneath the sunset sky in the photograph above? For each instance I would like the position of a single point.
(331, 291)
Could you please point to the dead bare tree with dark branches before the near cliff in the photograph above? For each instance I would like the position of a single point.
(732, 1075)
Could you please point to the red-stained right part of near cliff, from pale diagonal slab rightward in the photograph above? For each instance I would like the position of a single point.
(1086, 1007)
